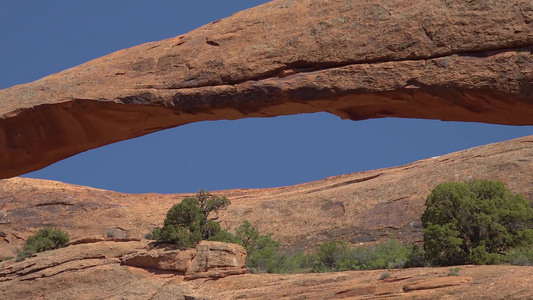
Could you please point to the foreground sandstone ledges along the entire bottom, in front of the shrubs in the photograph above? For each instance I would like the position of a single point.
(94, 271)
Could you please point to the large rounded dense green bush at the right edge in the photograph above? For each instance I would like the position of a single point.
(474, 222)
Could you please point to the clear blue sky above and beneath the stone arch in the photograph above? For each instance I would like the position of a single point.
(38, 38)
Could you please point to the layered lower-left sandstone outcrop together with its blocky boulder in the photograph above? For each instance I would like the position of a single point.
(118, 270)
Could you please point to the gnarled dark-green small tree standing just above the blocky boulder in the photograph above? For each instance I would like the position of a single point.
(188, 222)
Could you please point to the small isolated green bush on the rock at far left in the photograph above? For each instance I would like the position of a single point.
(45, 239)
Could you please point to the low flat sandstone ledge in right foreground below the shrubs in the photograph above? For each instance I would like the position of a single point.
(486, 282)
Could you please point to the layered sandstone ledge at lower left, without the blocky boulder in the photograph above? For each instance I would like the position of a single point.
(87, 271)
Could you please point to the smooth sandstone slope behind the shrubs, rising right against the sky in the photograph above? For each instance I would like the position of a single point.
(361, 208)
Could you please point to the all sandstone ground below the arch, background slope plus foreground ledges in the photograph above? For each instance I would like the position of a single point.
(362, 208)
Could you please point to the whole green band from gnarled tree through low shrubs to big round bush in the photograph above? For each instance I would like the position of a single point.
(478, 222)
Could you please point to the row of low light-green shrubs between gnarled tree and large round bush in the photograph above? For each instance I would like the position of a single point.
(331, 256)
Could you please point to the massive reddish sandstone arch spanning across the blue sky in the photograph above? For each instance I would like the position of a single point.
(454, 60)
